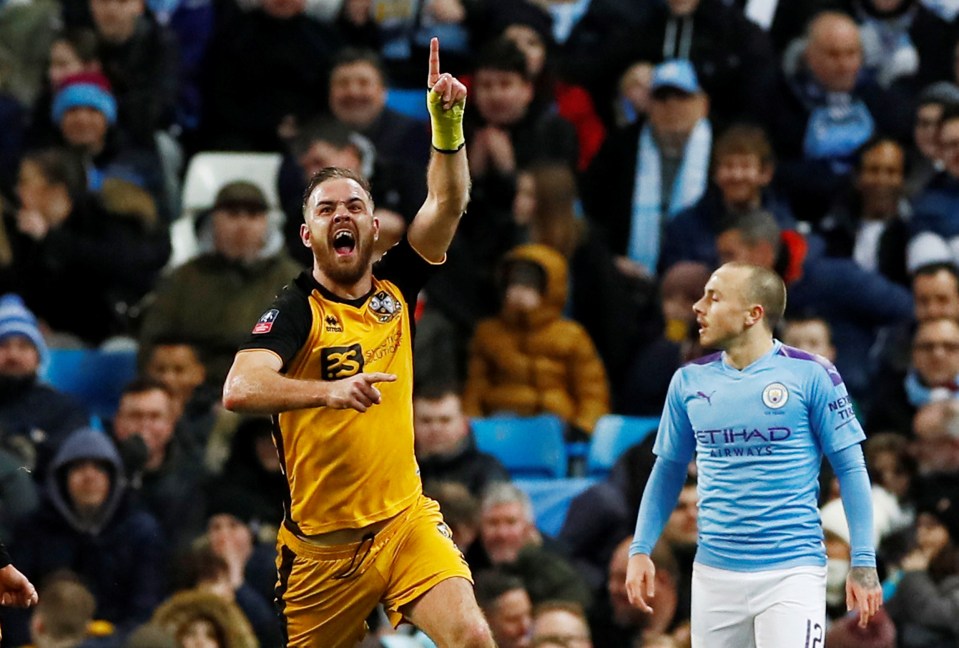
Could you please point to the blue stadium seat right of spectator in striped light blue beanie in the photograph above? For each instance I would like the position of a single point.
(95, 377)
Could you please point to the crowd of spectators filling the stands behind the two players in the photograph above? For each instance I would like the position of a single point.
(619, 151)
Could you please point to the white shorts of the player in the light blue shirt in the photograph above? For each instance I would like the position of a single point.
(779, 608)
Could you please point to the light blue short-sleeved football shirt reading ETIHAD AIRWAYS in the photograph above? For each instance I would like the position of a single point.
(759, 435)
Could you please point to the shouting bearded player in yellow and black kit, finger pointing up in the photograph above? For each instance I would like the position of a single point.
(331, 359)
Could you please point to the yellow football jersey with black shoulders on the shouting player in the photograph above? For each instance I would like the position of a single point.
(347, 469)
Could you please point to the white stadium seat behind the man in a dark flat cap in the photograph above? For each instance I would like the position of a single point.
(206, 173)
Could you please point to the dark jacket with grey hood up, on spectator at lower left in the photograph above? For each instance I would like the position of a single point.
(116, 553)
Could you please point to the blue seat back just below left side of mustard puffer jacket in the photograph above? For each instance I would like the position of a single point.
(528, 446)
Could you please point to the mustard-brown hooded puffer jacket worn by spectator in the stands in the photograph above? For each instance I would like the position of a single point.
(537, 362)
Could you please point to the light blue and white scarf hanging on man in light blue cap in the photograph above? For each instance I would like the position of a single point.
(688, 187)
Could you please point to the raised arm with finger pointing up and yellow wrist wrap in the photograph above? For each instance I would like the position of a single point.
(447, 179)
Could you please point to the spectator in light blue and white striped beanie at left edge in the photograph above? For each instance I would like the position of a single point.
(34, 417)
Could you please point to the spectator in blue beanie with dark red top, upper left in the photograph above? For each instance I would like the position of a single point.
(85, 114)
